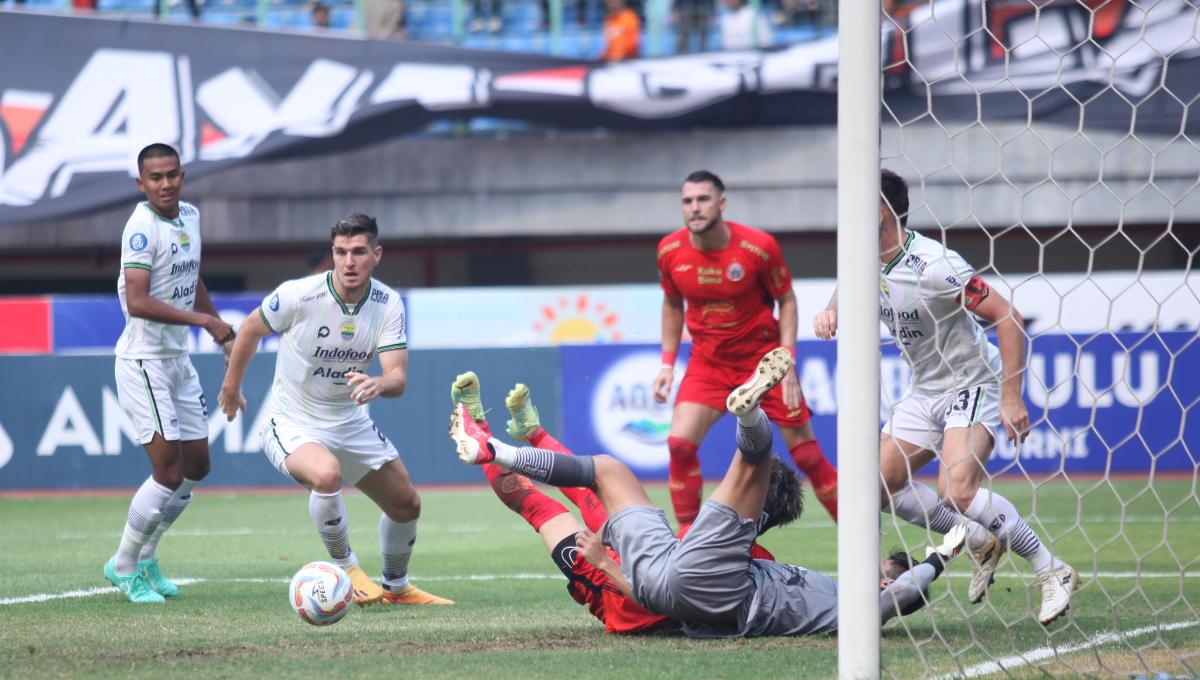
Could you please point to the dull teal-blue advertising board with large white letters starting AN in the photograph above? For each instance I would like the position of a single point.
(67, 430)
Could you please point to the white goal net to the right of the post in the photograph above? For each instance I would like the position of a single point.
(1054, 146)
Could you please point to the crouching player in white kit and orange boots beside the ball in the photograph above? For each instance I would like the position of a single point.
(333, 326)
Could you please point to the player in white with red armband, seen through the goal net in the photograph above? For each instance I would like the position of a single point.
(963, 390)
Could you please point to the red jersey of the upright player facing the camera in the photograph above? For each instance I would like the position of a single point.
(730, 293)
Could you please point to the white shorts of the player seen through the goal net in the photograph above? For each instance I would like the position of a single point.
(925, 419)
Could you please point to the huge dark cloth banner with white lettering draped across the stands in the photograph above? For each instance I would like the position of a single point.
(74, 118)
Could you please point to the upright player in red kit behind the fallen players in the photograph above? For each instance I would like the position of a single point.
(725, 279)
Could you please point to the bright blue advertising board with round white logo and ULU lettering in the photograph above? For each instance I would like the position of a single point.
(1099, 404)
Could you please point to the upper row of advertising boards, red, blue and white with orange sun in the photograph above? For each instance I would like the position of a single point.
(611, 315)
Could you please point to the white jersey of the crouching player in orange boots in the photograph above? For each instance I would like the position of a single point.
(323, 342)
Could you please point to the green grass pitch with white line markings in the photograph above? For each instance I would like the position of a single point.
(1137, 547)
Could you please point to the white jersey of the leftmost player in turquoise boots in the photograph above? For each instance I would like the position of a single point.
(171, 251)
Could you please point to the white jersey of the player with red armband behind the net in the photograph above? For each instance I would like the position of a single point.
(921, 303)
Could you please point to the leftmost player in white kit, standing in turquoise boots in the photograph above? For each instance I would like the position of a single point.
(161, 294)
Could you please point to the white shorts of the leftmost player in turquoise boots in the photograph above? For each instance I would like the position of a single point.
(164, 396)
